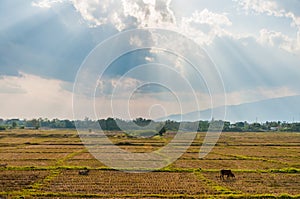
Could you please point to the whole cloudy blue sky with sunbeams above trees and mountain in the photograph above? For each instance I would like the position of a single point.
(249, 49)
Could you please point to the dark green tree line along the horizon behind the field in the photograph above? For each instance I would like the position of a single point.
(114, 124)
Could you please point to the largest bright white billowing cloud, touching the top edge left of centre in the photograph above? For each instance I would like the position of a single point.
(122, 14)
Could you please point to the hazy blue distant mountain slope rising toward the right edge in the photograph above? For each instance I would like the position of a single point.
(276, 109)
